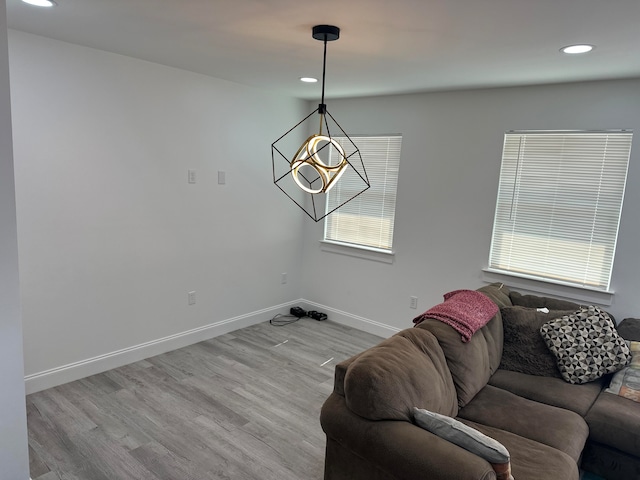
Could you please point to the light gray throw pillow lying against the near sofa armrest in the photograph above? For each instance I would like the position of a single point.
(462, 435)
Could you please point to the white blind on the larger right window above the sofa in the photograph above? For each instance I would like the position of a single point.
(559, 206)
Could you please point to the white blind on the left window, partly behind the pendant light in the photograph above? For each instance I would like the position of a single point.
(368, 219)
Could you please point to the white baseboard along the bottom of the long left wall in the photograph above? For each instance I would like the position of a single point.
(91, 366)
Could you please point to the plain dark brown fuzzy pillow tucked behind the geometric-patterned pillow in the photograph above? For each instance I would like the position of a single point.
(524, 349)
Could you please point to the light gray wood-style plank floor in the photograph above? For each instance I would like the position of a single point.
(240, 406)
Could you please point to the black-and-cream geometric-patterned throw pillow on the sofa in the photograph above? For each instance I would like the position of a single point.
(586, 345)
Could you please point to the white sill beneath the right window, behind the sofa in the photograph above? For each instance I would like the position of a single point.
(547, 287)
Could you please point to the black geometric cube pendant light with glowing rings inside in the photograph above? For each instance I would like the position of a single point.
(325, 158)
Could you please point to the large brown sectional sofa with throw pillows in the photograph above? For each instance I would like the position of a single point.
(549, 426)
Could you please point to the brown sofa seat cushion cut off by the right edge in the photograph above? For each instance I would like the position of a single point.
(615, 421)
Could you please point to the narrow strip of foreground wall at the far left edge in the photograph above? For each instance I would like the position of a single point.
(14, 461)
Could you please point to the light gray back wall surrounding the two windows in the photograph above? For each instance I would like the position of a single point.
(449, 169)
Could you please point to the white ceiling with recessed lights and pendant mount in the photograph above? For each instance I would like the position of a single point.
(386, 46)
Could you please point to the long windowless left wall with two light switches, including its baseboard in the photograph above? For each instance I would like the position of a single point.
(111, 235)
